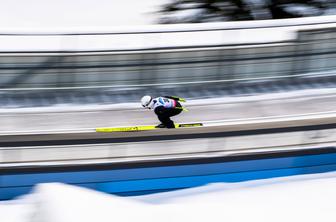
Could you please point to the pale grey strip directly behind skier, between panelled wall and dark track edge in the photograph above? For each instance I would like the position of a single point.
(225, 110)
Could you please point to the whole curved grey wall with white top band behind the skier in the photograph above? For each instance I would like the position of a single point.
(217, 59)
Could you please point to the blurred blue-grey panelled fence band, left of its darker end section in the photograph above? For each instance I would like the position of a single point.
(174, 67)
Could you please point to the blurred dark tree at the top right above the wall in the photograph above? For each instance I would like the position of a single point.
(180, 11)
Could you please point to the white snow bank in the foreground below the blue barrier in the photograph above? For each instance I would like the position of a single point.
(297, 198)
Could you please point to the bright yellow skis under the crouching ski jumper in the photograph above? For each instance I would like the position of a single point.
(142, 128)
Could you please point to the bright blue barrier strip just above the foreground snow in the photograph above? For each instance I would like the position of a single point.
(155, 179)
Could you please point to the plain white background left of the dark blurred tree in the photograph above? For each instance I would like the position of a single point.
(76, 13)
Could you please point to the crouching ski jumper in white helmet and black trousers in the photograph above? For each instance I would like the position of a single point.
(164, 107)
